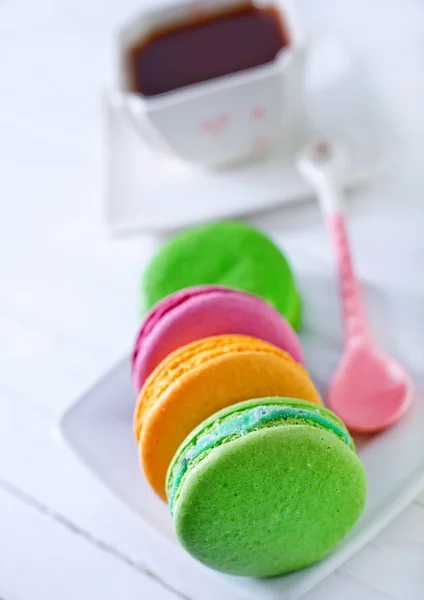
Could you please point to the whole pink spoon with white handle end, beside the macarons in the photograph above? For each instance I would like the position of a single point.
(369, 391)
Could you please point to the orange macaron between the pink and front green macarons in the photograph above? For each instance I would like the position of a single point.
(197, 380)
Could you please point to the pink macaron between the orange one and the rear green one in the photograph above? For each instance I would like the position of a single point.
(204, 311)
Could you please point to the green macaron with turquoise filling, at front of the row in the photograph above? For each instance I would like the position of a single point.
(265, 487)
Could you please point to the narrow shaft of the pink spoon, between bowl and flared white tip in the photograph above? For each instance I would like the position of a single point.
(355, 322)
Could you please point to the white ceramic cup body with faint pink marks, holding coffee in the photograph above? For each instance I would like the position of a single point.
(224, 120)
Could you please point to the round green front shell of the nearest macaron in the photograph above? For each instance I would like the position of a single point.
(271, 502)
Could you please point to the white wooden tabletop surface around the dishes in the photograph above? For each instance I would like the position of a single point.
(68, 293)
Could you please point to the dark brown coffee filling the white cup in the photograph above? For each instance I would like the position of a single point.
(204, 48)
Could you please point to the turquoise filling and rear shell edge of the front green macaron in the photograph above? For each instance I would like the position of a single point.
(241, 423)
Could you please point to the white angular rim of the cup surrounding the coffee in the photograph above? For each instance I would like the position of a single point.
(286, 9)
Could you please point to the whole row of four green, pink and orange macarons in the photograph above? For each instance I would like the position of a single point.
(260, 478)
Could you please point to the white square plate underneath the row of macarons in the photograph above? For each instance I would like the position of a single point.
(99, 429)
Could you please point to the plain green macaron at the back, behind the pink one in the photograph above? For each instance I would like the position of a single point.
(230, 254)
